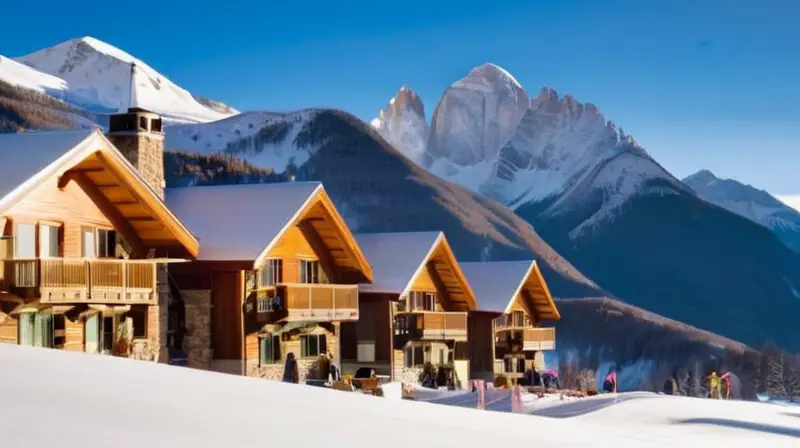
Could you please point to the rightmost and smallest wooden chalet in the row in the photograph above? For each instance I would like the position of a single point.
(517, 291)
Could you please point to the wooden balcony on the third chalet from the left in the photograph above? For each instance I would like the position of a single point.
(430, 325)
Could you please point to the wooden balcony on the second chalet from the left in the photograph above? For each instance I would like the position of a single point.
(310, 302)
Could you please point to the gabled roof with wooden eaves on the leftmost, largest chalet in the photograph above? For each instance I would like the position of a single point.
(29, 158)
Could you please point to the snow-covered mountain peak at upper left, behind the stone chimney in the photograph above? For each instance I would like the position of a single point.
(98, 78)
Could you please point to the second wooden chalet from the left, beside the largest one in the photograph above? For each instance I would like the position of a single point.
(282, 267)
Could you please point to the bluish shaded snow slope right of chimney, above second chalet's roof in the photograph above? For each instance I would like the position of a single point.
(265, 139)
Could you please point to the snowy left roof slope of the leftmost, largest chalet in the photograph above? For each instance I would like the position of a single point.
(24, 154)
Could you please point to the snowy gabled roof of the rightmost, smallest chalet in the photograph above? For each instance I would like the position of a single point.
(498, 283)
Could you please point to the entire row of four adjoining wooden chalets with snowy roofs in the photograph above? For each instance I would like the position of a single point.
(97, 256)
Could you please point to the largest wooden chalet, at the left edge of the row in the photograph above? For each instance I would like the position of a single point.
(84, 244)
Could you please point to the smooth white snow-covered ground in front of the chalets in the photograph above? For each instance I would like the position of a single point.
(52, 397)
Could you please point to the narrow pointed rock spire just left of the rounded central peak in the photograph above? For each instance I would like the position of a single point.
(402, 123)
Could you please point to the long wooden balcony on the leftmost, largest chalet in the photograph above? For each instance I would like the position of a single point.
(64, 280)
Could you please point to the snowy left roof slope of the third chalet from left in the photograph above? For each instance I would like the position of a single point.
(395, 258)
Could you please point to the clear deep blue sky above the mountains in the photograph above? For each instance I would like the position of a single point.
(701, 84)
